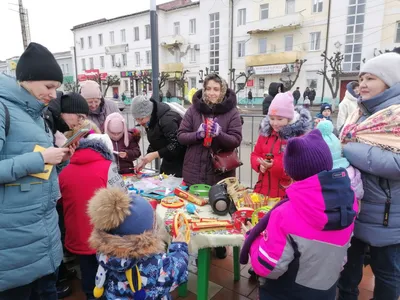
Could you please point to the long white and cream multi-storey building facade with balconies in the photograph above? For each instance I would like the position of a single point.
(262, 37)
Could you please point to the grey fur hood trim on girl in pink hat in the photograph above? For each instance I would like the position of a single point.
(299, 125)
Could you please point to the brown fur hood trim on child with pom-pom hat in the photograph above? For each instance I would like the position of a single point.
(133, 247)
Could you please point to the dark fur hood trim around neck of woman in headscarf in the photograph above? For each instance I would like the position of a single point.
(228, 103)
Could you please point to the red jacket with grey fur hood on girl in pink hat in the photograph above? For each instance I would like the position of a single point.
(274, 181)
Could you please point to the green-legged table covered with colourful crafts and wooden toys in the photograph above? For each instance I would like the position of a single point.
(206, 223)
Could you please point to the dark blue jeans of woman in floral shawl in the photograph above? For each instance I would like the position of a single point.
(385, 264)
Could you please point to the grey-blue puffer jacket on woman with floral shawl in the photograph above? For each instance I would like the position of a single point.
(375, 163)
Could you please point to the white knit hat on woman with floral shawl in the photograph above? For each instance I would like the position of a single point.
(385, 66)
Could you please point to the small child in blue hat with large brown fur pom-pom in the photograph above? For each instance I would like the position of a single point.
(132, 261)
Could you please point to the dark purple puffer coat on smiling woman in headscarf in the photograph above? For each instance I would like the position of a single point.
(197, 166)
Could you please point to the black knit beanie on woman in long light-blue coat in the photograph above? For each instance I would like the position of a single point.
(37, 64)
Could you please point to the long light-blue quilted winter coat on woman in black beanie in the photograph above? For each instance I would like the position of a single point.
(30, 245)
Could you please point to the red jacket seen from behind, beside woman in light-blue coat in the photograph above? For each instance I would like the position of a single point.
(90, 169)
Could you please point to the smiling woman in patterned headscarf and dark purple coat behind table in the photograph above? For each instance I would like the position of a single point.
(218, 102)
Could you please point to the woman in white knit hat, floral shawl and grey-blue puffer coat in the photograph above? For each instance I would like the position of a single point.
(371, 138)
